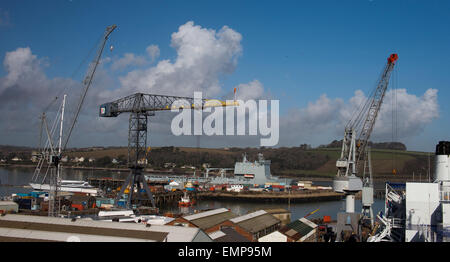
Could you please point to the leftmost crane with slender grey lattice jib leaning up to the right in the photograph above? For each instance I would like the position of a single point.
(50, 154)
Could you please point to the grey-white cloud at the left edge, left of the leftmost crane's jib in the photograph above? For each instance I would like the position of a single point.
(25, 91)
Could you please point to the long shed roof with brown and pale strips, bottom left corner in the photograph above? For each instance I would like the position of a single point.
(35, 228)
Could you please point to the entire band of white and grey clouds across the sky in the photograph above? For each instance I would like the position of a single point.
(202, 57)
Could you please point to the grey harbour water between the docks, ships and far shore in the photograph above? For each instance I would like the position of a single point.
(20, 176)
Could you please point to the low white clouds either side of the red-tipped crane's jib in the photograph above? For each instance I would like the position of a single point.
(328, 117)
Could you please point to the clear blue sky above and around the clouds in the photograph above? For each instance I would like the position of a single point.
(298, 50)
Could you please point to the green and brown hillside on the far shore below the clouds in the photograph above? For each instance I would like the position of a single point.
(295, 162)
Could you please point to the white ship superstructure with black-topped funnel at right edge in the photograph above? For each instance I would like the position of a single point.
(417, 211)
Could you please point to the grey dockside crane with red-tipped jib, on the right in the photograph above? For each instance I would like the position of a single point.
(356, 138)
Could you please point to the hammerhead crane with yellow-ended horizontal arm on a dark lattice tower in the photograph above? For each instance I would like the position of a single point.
(141, 106)
